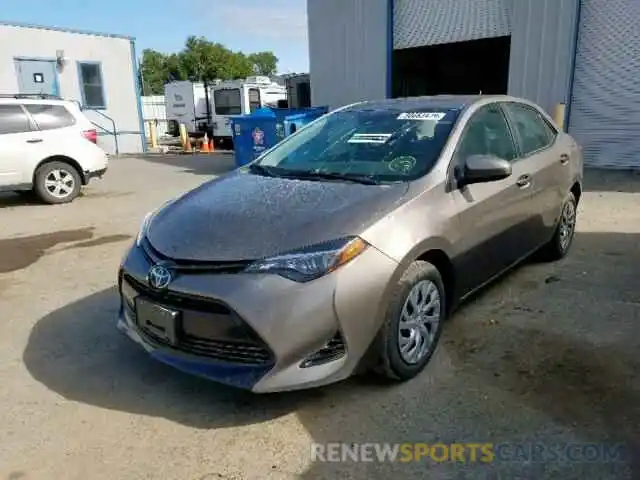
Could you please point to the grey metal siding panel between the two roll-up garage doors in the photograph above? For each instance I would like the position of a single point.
(541, 50)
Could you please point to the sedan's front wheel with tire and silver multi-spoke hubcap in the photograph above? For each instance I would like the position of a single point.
(413, 325)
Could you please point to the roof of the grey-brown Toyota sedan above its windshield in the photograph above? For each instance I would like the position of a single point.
(444, 102)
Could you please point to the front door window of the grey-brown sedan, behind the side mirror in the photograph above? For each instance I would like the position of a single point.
(487, 133)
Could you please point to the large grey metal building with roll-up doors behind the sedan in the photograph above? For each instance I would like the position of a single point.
(583, 54)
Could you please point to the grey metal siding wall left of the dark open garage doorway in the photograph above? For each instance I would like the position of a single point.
(347, 51)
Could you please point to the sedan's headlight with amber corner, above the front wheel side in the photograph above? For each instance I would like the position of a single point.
(312, 262)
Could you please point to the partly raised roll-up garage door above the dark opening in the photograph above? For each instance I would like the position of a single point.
(419, 23)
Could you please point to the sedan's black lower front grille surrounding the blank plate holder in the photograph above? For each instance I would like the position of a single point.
(206, 328)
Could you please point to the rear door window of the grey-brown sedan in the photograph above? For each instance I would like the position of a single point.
(533, 130)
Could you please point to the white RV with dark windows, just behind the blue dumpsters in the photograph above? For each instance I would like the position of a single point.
(241, 97)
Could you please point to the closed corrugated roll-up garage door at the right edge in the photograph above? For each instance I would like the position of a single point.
(605, 101)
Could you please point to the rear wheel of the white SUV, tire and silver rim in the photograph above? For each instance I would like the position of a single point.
(65, 191)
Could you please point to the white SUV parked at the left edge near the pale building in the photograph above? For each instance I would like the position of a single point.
(47, 146)
